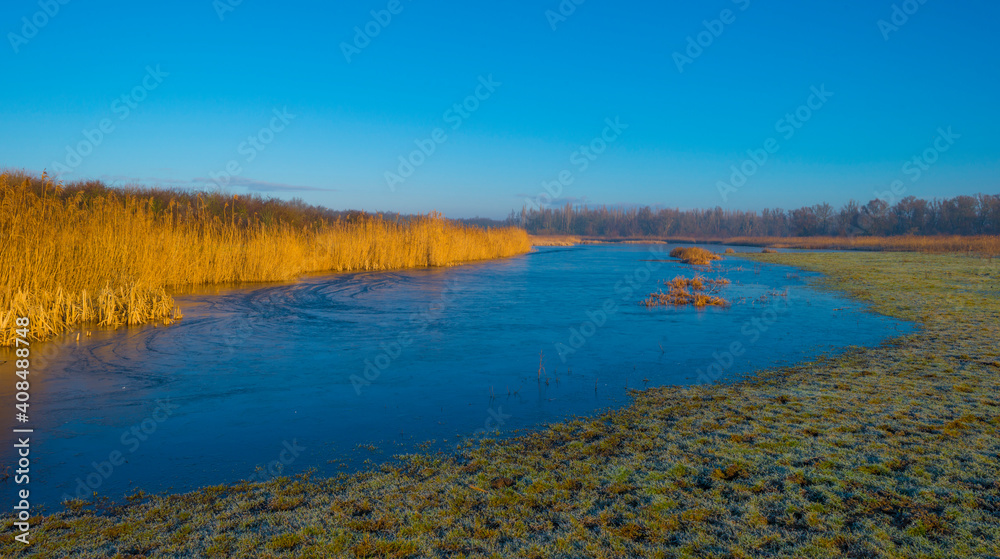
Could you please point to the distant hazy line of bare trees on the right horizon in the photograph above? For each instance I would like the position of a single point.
(961, 215)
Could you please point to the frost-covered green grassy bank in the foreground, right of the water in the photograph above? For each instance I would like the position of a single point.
(880, 452)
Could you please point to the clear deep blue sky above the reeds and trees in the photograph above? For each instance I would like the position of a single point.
(208, 82)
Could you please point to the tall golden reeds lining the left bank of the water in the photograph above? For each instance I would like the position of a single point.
(84, 253)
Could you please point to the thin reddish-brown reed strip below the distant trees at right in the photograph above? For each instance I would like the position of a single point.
(984, 245)
